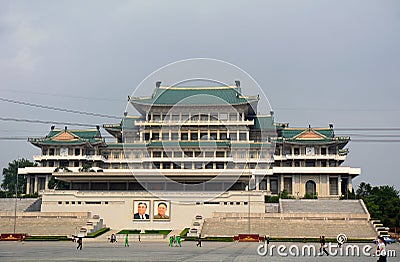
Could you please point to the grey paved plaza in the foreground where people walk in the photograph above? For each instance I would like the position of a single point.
(156, 251)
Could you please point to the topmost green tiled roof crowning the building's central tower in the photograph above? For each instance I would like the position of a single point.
(195, 95)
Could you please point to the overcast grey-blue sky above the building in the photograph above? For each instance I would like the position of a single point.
(318, 62)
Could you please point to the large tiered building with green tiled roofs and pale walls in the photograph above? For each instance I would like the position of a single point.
(207, 146)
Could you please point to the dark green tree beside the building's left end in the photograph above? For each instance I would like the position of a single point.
(10, 176)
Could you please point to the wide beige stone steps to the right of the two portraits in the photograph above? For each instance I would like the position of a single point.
(298, 219)
